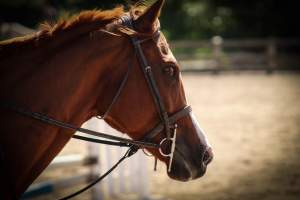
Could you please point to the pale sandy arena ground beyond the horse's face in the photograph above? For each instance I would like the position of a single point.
(253, 123)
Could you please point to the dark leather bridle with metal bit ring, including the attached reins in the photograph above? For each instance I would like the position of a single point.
(167, 122)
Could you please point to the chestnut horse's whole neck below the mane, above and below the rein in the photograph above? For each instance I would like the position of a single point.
(66, 85)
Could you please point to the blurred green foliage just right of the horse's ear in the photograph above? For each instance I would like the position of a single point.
(196, 19)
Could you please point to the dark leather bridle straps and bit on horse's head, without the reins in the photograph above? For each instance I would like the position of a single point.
(167, 122)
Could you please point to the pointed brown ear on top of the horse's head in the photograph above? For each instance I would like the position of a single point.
(146, 21)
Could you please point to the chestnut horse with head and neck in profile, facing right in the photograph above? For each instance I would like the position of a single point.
(71, 71)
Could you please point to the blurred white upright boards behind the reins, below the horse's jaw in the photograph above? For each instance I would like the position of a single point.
(131, 177)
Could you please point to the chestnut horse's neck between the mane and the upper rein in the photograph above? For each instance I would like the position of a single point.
(66, 82)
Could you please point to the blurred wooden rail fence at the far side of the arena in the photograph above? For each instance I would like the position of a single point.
(238, 54)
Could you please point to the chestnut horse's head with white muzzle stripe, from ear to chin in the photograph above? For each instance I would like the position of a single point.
(192, 151)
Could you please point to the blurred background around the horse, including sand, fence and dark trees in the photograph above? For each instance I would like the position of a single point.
(240, 63)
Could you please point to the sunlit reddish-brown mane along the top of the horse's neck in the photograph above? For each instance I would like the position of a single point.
(81, 23)
